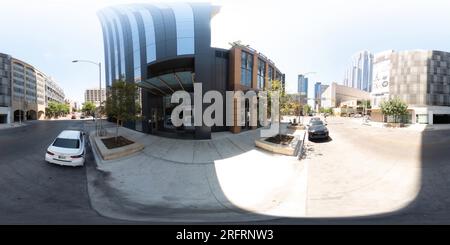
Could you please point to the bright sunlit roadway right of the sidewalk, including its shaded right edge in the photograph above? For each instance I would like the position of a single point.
(377, 175)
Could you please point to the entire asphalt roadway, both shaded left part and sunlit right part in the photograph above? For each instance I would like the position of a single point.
(362, 175)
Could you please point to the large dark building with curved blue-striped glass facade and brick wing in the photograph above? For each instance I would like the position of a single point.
(166, 48)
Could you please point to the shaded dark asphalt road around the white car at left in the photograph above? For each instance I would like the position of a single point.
(35, 192)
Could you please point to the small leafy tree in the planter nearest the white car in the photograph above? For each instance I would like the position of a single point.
(121, 103)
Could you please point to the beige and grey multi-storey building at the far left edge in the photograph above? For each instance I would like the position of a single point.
(24, 91)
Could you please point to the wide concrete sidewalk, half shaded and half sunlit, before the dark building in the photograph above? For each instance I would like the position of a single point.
(224, 179)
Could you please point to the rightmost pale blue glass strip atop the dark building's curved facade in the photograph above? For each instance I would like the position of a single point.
(184, 18)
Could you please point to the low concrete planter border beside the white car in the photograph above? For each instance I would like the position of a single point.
(113, 154)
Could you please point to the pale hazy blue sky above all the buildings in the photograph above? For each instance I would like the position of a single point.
(300, 36)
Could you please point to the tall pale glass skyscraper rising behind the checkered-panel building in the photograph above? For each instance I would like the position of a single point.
(360, 73)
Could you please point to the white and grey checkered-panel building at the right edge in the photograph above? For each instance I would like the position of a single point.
(419, 78)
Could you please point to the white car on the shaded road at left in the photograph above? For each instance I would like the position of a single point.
(67, 149)
